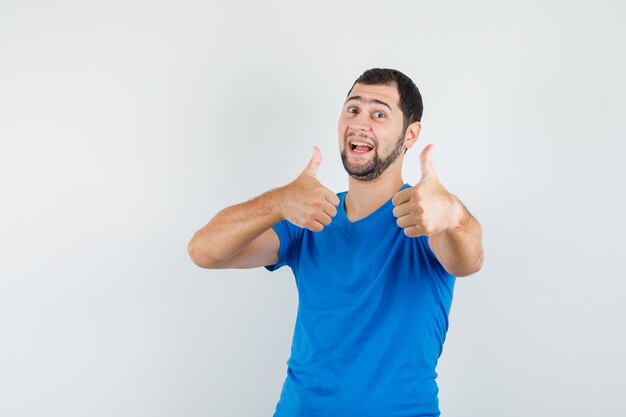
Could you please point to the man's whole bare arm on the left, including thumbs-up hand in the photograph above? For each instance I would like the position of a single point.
(241, 236)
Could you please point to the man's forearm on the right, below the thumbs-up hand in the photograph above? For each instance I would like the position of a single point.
(459, 249)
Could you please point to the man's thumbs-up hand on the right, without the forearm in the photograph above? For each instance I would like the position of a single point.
(426, 208)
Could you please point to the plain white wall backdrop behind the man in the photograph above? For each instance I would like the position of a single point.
(125, 126)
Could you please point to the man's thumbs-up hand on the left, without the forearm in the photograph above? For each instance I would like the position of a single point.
(306, 202)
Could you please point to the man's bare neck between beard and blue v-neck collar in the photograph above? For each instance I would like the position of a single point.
(365, 197)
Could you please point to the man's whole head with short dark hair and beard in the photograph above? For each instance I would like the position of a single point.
(380, 118)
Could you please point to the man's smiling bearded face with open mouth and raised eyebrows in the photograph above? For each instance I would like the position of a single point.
(370, 130)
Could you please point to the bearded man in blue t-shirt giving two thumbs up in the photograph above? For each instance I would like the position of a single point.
(375, 266)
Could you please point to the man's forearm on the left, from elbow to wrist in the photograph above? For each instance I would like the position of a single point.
(230, 230)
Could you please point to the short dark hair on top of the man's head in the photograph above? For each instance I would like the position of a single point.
(410, 97)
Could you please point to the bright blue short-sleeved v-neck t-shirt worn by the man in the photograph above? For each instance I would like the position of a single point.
(372, 319)
